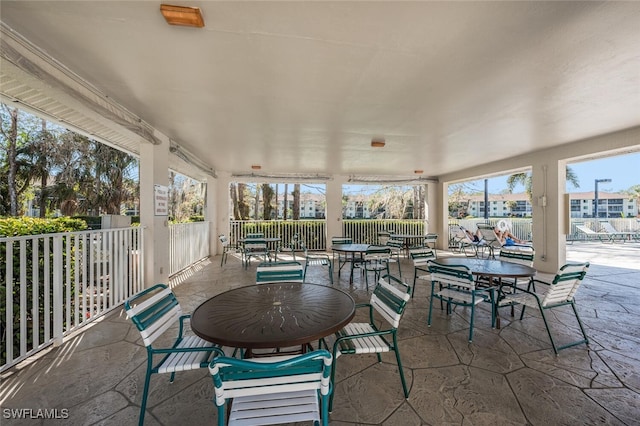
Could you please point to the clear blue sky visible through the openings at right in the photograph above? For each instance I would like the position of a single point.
(623, 170)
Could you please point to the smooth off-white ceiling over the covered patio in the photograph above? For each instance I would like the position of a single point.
(303, 87)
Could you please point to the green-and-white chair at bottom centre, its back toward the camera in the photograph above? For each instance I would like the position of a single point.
(274, 390)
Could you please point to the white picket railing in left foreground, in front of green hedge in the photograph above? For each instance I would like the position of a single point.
(53, 284)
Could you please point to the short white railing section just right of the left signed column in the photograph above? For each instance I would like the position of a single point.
(188, 243)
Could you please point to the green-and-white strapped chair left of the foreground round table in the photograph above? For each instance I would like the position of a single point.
(153, 311)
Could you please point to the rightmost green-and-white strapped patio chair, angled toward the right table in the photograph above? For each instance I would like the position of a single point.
(560, 292)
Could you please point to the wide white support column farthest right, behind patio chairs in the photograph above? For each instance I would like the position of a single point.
(548, 188)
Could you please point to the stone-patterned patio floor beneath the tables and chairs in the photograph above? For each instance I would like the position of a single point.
(506, 376)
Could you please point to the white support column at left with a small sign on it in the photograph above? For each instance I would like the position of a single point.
(154, 170)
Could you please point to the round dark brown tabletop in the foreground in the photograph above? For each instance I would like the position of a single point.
(273, 315)
